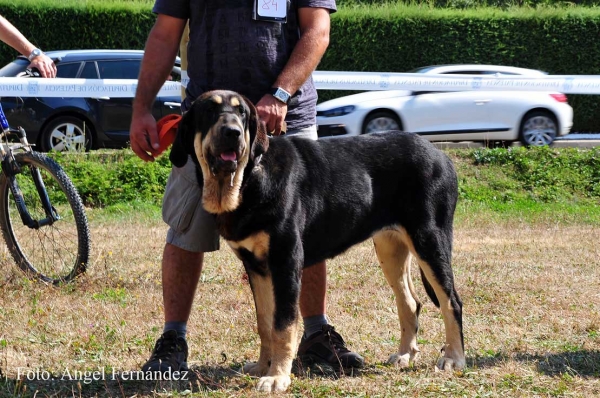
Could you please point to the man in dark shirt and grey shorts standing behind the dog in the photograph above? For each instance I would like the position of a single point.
(267, 51)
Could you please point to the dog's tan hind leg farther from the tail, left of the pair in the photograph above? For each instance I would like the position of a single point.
(394, 257)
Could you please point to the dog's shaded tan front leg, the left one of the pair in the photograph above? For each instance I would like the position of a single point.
(264, 301)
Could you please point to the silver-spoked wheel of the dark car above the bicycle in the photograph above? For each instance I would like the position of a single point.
(66, 133)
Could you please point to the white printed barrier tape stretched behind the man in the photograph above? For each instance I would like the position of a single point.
(360, 81)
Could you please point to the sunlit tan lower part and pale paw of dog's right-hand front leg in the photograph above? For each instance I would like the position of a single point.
(283, 353)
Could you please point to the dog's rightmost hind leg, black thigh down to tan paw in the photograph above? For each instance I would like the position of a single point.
(433, 249)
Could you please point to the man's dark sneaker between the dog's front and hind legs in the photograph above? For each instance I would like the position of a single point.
(328, 347)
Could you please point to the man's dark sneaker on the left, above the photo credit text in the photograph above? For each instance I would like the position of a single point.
(169, 354)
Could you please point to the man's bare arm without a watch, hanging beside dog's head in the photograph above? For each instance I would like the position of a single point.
(159, 57)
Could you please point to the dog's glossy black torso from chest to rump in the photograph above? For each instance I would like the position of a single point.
(331, 198)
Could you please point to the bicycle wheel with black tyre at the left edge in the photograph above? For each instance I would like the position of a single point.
(54, 253)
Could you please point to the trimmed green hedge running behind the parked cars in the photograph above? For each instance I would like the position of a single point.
(384, 38)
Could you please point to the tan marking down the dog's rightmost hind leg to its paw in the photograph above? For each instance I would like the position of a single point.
(454, 356)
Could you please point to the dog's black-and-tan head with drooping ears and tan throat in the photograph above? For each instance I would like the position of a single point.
(223, 134)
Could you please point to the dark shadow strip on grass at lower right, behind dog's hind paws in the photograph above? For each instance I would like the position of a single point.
(583, 363)
